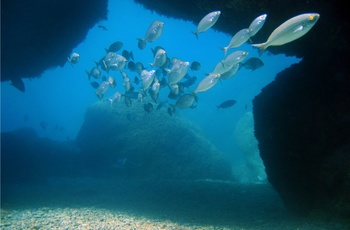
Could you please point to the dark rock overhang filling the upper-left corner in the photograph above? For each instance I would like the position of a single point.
(38, 35)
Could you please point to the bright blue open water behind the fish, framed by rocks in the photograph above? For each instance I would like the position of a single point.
(61, 95)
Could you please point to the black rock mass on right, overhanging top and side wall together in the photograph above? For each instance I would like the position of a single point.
(302, 119)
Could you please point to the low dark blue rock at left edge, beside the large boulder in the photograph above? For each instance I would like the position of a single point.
(28, 158)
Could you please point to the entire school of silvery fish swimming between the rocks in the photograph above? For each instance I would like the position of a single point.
(172, 74)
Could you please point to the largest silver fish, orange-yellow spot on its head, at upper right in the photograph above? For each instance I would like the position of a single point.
(289, 31)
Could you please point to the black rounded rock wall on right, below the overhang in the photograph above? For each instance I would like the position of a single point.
(302, 122)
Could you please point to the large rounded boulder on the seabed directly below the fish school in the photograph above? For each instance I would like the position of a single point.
(126, 141)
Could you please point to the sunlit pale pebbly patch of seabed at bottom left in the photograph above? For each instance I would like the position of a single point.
(84, 218)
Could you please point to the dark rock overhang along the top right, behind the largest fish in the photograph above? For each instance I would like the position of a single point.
(332, 30)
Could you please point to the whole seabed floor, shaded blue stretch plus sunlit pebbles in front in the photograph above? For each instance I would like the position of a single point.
(147, 204)
